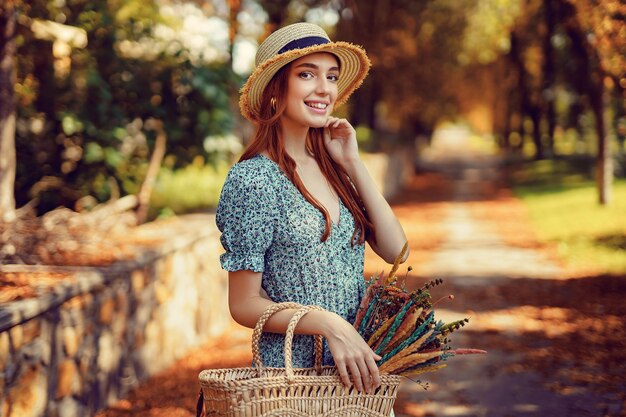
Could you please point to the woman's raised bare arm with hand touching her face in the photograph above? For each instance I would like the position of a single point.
(389, 237)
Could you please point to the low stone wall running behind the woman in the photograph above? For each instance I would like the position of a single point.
(100, 331)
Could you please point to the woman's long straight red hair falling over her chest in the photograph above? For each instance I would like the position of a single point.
(268, 138)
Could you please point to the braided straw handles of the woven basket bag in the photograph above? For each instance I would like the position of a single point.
(258, 331)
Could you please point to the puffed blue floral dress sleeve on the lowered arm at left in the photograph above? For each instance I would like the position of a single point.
(246, 215)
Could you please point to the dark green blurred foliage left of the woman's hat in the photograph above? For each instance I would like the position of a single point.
(83, 119)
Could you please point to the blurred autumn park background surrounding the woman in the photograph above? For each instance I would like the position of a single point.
(511, 112)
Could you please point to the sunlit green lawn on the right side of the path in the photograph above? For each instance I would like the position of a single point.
(563, 205)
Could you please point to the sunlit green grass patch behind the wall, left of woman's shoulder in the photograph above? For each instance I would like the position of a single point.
(193, 188)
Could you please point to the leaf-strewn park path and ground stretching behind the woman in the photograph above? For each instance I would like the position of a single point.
(555, 345)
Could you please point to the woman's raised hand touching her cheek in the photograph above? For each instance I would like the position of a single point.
(340, 141)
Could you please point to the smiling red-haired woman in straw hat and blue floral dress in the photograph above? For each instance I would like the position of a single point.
(296, 210)
